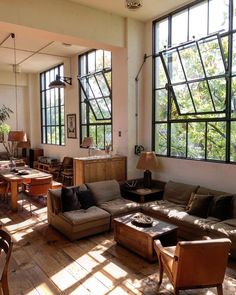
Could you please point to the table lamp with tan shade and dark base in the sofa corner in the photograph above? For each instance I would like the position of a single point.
(147, 161)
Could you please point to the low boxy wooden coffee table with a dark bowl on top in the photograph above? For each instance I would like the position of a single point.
(140, 239)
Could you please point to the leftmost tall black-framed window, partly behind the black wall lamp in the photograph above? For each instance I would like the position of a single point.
(52, 108)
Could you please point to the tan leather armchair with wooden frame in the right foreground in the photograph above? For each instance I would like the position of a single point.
(194, 264)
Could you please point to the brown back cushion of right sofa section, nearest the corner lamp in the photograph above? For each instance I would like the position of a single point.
(178, 193)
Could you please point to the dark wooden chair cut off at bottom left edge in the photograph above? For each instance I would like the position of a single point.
(6, 245)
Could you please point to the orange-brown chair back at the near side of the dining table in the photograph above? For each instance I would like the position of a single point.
(40, 186)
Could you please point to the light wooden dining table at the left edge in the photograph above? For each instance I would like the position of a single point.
(15, 178)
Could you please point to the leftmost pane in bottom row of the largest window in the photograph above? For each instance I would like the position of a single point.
(161, 139)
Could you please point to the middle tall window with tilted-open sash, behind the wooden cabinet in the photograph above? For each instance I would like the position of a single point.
(95, 97)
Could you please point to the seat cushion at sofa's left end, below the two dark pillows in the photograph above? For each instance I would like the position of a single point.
(81, 217)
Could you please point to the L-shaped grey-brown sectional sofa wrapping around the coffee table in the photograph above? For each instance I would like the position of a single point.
(196, 210)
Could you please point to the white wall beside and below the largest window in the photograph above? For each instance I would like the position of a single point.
(213, 175)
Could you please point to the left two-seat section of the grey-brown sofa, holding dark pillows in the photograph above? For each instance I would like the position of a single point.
(83, 222)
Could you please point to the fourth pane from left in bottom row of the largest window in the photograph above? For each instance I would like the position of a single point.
(216, 141)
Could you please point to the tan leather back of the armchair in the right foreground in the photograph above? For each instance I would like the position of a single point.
(200, 263)
